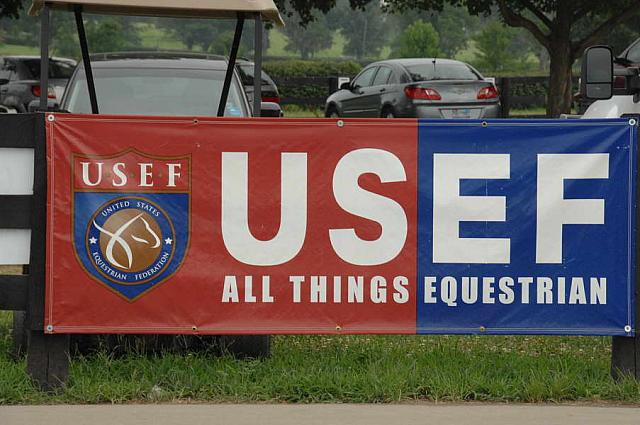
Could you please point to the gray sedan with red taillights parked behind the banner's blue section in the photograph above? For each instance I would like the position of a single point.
(416, 88)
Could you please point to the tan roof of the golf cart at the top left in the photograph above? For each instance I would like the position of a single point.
(169, 8)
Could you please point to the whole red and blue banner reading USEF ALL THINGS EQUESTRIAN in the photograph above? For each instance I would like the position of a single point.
(223, 226)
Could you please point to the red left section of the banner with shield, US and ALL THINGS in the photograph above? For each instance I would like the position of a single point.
(221, 226)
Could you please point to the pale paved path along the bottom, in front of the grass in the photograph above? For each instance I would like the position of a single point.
(233, 414)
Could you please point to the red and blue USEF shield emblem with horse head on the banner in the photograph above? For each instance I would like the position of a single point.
(131, 219)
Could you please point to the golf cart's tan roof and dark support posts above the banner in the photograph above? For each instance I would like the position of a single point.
(241, 10)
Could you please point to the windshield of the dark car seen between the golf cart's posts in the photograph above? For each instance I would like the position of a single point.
(157, 92)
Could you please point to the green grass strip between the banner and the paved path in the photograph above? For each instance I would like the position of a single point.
(358, 369)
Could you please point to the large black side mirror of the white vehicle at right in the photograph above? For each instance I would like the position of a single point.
(597, 73)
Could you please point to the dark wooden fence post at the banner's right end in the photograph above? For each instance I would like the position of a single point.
(625, 352)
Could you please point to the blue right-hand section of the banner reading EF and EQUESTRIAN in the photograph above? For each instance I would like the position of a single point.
(526, 227)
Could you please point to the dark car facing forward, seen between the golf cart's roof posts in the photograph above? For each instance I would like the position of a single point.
(166, 84)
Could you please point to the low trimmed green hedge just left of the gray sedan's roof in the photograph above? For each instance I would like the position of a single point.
(301, 68)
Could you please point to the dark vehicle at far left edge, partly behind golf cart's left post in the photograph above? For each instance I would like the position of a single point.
(20, 80)
